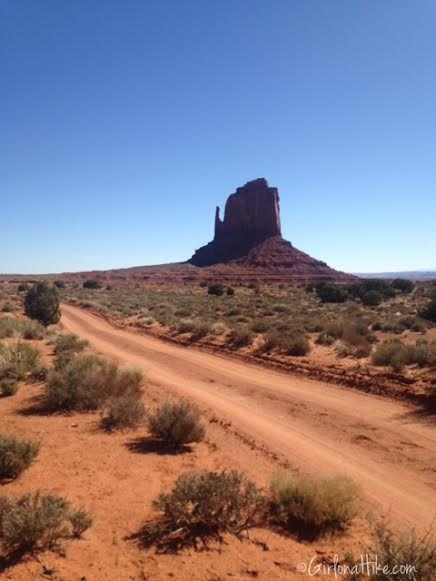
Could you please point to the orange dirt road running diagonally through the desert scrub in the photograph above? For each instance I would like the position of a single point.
(316, 427)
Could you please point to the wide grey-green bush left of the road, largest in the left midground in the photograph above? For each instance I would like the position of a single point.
(86, 382)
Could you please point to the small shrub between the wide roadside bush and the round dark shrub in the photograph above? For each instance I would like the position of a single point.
(122, 412)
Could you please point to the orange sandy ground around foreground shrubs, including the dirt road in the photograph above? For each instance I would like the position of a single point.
(257, 420)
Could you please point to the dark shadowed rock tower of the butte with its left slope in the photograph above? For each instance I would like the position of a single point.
(252, 215)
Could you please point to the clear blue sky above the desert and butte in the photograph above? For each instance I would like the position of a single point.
(124, 123)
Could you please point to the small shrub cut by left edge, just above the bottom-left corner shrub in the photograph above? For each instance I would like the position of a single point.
(15, 456)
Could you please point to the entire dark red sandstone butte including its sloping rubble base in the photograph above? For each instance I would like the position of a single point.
(250, 237)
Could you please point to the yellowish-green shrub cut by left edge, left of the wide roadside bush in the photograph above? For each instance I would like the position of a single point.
(18, 361)
